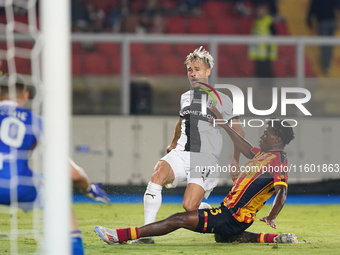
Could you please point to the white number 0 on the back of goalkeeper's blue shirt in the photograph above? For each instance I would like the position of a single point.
(12, 132)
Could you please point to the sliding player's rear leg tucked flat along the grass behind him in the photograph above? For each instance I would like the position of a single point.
(251, 237)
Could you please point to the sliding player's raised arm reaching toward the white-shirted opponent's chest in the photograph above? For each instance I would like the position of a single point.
(241, 144)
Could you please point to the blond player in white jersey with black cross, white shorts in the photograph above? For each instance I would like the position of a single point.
(196, 143)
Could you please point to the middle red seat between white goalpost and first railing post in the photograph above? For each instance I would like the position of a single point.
(96, 64)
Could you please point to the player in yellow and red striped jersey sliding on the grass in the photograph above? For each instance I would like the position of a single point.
(262, 176)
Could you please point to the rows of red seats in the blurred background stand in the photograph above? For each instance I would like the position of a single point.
(219, 17)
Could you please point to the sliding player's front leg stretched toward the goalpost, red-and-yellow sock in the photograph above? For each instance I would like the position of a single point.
(188, 220)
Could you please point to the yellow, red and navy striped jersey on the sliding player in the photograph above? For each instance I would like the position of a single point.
(255, 184)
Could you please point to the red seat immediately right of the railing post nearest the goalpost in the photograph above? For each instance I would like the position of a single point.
(146, 64)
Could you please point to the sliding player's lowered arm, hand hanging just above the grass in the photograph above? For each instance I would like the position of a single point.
(279, 201)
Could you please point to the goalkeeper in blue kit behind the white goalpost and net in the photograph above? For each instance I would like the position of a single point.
(20, 130)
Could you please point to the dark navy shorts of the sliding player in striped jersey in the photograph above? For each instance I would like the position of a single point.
(220, 221)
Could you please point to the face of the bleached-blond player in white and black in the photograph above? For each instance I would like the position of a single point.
(198, 72)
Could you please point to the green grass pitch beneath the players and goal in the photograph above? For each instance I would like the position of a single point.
(317, 228)
